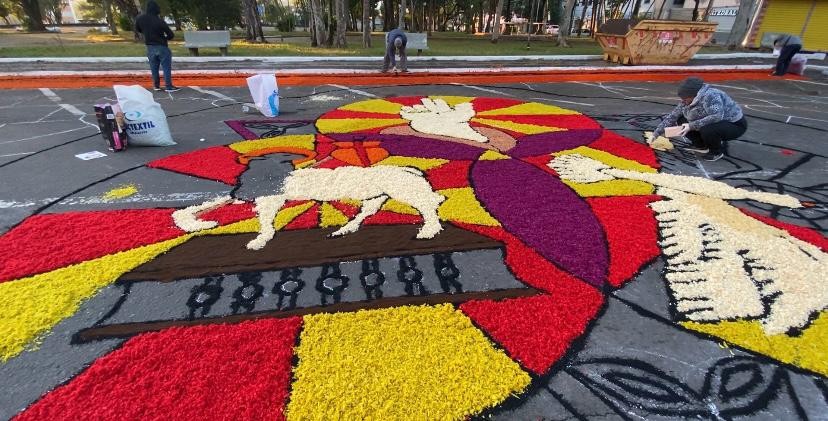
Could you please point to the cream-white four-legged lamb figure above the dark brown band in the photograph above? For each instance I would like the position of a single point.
(271, 187)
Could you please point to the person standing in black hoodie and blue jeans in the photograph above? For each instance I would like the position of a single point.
(156, 33)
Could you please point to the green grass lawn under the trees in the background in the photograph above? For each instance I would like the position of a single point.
(293, 45)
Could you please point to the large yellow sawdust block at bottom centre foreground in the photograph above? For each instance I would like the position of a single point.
(414, 363)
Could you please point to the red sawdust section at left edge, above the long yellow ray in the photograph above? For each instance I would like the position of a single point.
(46, 242)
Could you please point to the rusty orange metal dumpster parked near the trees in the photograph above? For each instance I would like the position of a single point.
(628, 41)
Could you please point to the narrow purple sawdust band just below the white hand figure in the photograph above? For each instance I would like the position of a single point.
(416, 146)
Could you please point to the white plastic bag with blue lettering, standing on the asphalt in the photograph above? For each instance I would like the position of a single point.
(145, 119)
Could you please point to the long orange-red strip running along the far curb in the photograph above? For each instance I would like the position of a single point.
(237, 79)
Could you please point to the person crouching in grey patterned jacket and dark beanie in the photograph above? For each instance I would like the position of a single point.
(708, 117)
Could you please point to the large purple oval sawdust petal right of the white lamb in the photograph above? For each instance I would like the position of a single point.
(545, 214)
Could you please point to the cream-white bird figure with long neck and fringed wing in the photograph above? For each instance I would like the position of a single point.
(721, 263)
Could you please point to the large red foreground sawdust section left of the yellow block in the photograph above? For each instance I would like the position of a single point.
(217, 372)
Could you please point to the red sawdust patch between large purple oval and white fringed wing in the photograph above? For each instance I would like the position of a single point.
(631, 231)
